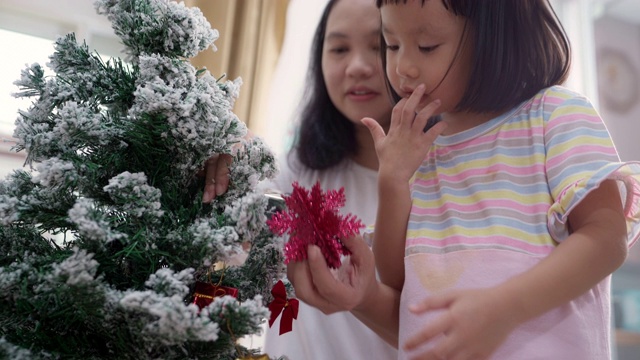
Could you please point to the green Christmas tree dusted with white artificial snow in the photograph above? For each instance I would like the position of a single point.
(103, 235)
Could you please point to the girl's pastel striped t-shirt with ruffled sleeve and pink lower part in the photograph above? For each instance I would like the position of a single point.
(492, 201)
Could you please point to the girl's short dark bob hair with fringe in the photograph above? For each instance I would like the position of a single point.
(520, 48)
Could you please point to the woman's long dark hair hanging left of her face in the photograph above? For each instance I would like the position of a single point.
(324, 136)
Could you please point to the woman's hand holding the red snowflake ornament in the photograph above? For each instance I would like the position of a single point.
(331, 292)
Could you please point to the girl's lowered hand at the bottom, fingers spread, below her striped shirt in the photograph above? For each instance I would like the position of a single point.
(473, 324)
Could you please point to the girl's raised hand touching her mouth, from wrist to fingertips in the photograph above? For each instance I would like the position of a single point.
(402, 150)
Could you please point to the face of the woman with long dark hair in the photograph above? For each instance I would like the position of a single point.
(351, 63)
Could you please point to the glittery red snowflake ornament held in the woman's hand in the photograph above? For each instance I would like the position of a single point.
(312, 217)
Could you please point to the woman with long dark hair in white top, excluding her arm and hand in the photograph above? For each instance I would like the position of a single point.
(345, 84)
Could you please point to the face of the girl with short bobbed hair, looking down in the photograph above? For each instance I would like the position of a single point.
(422, 41)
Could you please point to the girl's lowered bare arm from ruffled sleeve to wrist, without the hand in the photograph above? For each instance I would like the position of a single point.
(596, 248)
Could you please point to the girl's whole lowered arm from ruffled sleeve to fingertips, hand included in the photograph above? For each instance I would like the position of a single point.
(477, 321)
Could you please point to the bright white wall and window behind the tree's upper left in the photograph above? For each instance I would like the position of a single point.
(28, 30)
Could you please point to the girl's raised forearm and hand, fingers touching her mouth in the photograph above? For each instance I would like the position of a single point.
(400, 153)
